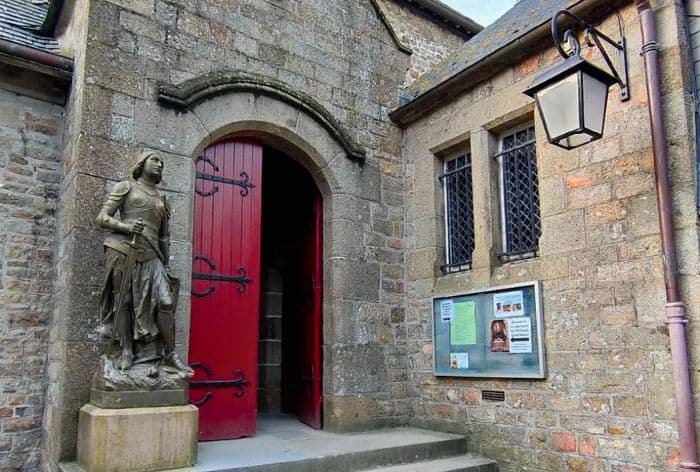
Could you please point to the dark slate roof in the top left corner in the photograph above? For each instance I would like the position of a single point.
(21, 22)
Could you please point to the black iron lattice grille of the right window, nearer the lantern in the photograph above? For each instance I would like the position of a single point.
(520, 195)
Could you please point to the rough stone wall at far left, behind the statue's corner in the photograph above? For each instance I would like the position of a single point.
(30, 148)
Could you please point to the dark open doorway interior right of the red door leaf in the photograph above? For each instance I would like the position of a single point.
(289, 345)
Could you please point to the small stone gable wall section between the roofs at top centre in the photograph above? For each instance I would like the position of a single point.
(428, 40)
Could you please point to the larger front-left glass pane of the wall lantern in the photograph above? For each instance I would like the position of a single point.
(559, 105)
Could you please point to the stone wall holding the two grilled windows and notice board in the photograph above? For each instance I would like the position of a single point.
(607, 403)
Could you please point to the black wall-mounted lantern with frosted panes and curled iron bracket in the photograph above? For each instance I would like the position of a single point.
(571, 97)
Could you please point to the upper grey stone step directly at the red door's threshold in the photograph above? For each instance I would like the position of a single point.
(318, 451)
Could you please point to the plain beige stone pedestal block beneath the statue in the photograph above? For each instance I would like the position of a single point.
(137, 439)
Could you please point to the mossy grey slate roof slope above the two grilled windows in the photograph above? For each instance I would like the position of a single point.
(525, 16)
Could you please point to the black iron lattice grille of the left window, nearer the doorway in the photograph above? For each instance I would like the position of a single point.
(459, 213)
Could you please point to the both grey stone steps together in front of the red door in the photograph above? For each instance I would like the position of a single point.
(283, 445)
